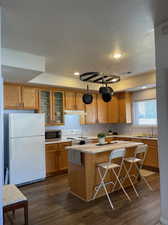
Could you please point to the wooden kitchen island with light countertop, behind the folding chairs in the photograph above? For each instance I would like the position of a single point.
(82, 172)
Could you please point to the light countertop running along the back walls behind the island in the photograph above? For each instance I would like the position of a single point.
(65, 139)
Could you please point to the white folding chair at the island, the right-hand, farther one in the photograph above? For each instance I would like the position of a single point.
(138, 163)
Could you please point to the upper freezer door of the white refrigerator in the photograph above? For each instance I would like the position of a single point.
(26, 125)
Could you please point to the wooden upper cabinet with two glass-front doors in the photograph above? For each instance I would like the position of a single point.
(52, 104)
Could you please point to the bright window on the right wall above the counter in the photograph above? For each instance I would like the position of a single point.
(145, 112)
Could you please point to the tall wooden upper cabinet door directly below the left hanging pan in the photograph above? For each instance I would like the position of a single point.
(91, 111)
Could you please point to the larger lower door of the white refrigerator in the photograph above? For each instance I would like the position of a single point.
(27, 159)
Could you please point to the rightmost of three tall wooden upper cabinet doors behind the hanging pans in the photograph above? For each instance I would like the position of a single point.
(113, 110)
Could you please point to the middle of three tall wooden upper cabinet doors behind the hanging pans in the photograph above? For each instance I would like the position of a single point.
(102, 110)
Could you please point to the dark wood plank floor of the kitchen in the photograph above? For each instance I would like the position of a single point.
(51, 204)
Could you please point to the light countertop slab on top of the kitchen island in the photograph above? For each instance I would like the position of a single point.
(95, 148)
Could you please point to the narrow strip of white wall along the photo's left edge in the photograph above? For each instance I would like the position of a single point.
(1, 132)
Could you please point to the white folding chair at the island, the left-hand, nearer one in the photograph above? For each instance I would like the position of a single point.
(107, 166)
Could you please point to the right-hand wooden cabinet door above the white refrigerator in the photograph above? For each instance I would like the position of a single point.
(29, 97)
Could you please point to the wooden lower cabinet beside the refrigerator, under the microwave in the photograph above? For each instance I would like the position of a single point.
(56, 158)
